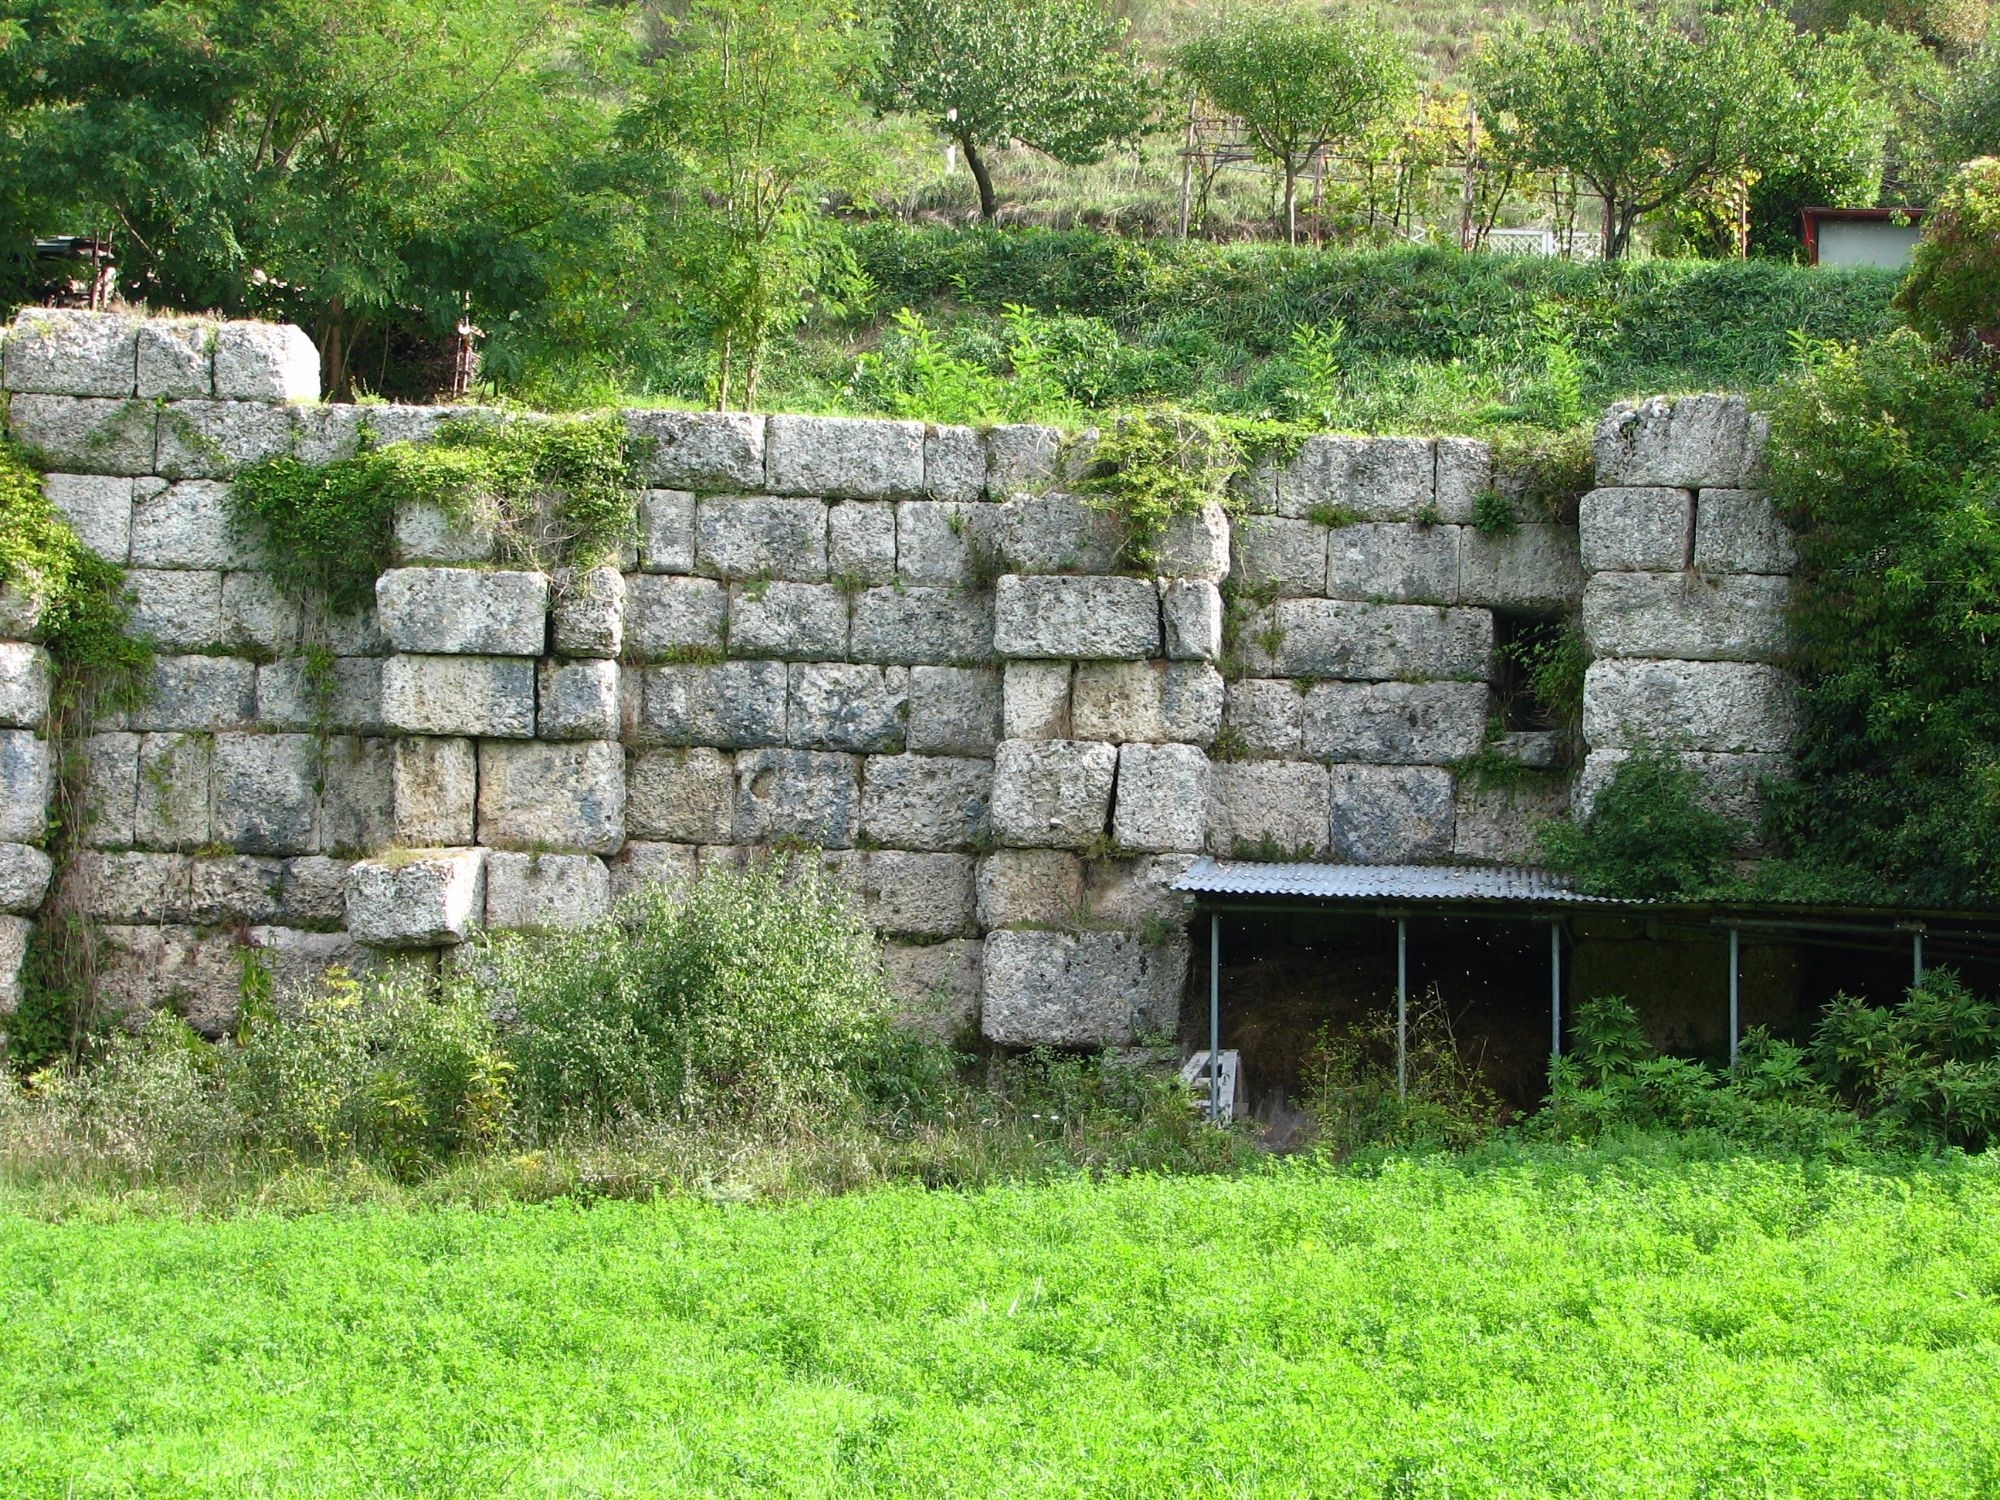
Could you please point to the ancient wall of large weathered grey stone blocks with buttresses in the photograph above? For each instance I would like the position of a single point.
(907, 645)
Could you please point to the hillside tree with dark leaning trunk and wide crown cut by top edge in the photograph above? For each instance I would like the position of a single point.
(1051, 75)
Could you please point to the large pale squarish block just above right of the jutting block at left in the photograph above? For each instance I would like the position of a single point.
(553, 797)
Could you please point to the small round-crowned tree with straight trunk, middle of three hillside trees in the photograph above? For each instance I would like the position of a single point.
(1299, 83)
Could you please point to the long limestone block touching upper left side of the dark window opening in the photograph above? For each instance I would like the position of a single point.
(1375, 643)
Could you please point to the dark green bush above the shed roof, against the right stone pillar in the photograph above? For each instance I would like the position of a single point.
(1647, 837)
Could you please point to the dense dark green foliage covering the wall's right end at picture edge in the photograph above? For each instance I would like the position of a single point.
(1889, 463)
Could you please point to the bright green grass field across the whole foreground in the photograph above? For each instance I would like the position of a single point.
(1537, 1327)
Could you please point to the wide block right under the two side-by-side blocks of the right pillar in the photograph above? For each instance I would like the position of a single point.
(1687, 617)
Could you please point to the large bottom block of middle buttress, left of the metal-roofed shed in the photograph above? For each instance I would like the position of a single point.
(1093, 989)
